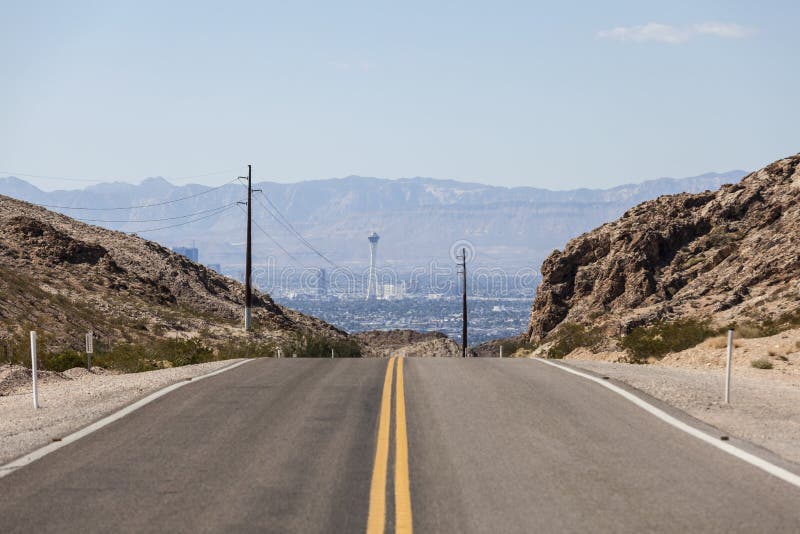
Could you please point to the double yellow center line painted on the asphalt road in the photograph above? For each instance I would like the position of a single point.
(376, 522)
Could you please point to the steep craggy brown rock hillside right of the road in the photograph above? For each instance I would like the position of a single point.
(724, 255)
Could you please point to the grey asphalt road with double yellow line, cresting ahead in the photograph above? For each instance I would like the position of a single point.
(437, 445)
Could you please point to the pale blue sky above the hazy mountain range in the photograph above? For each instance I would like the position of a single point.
(546, 94)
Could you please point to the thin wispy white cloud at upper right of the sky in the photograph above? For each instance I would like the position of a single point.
(664, 33)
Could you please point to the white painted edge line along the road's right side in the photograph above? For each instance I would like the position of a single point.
(752, 459)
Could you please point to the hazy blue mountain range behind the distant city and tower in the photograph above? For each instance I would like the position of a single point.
(418, 218)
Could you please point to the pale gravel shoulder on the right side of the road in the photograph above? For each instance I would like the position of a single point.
(764, 409)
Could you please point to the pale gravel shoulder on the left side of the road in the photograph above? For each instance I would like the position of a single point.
(73, 399)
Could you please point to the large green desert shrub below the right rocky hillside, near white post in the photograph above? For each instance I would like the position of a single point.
(664, 337)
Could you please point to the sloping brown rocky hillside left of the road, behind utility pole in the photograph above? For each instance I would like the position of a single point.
(64, 278)
